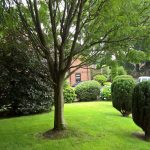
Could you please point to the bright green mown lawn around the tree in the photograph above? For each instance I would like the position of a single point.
(91, 126)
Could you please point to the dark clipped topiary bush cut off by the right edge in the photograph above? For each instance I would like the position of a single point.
(141, 107)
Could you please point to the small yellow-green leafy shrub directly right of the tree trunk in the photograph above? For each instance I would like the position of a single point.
(69, 94)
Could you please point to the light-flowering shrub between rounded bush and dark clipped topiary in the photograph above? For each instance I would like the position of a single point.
(106, 93)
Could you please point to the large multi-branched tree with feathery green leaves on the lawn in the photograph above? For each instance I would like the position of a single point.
(65, 30)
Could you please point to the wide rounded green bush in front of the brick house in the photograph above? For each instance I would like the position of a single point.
(88, 90)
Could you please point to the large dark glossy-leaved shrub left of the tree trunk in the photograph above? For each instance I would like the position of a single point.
(25, 87)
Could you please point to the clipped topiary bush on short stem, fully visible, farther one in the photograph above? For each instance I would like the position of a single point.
(121, 91)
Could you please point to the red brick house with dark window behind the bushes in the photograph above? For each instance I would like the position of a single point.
(81, 74)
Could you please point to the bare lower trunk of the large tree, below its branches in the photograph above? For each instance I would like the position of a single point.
(59, 123)
